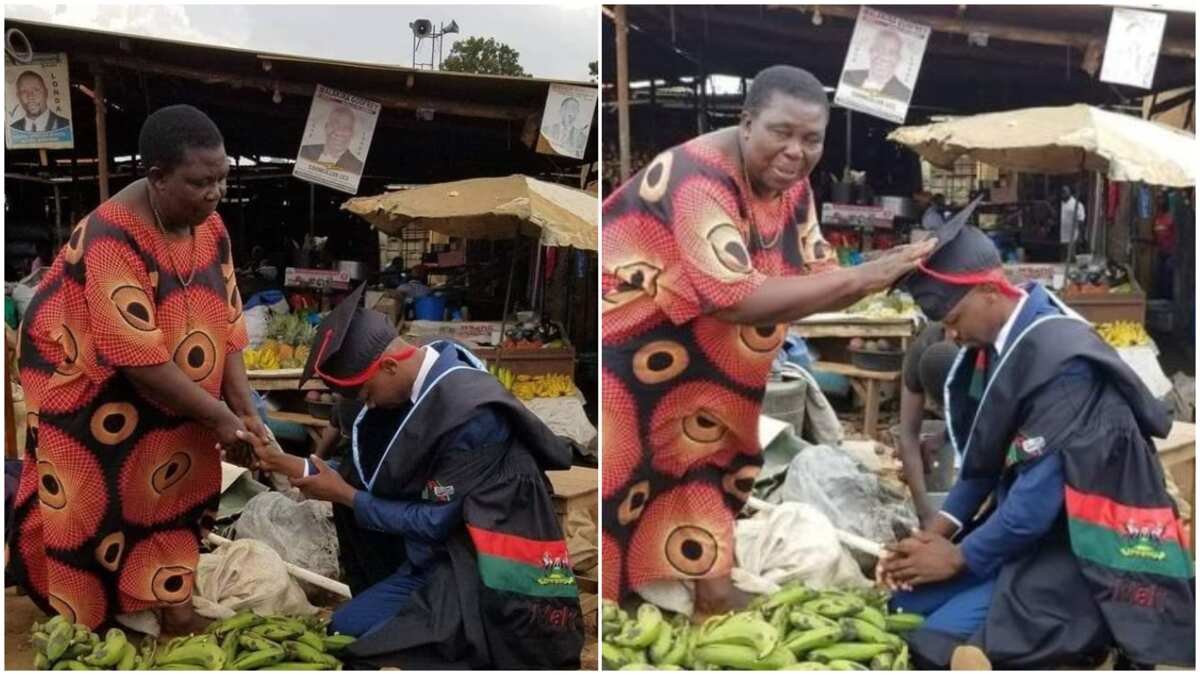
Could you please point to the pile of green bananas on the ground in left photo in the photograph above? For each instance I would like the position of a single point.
(244, 642)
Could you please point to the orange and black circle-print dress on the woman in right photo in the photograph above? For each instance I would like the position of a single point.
(682, 391)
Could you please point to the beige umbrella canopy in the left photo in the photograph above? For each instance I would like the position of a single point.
(489, 208)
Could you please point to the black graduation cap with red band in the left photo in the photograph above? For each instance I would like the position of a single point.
(349, 341)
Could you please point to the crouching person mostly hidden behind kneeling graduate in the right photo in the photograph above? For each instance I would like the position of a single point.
(927, 366)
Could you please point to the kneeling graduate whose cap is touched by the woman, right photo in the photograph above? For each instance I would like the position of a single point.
(1082, 548)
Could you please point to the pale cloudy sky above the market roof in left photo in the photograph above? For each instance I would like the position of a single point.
(554, 41)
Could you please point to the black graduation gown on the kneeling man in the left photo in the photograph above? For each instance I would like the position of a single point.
(502, 594)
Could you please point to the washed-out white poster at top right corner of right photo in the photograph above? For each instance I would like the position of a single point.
(1131, 53)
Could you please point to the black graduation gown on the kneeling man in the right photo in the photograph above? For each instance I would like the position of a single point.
(1117, 570)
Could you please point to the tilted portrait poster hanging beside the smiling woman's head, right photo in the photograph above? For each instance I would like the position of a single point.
(883, 65)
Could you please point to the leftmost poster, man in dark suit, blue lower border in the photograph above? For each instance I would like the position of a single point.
(38, 104)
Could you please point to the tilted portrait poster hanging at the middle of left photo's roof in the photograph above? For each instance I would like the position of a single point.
(337, 140)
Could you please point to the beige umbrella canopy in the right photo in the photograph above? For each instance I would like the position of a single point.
(1065, 140)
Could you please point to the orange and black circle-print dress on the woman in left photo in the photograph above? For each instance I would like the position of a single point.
(116, 487)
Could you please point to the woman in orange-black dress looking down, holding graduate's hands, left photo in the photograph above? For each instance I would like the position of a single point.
(131, 361)
